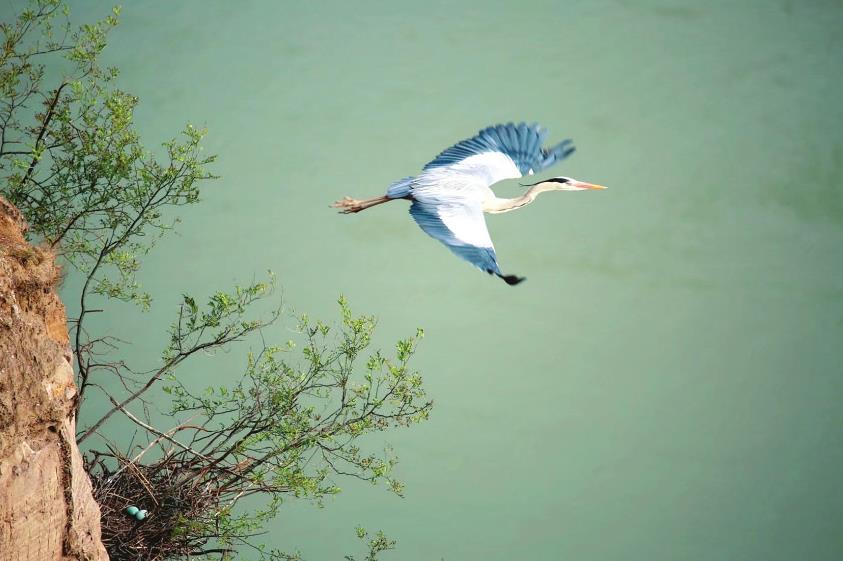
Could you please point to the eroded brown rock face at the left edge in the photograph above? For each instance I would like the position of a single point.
(46, 508)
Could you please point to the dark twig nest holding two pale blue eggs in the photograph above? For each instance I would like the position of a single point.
(180, 509)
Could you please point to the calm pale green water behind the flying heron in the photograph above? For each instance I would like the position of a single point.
(666, 385)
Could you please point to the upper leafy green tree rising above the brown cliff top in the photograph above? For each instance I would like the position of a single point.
(72, 162)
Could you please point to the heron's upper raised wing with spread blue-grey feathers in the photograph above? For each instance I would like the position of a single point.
(521, 143)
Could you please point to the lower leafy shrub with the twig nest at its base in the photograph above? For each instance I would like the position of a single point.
(287, 428)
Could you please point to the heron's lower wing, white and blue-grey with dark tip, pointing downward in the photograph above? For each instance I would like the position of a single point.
(462, 228)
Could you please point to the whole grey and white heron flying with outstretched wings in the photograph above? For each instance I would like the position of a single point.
(453, 191)
